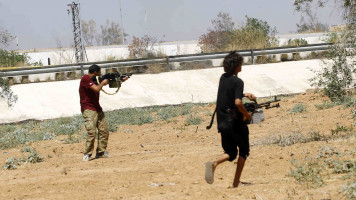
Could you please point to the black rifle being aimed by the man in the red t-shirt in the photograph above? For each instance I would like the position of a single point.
(115, 80)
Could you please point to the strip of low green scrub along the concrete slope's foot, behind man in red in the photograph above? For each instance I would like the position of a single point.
(12, 135)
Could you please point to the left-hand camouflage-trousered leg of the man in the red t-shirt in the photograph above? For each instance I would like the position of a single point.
(90, 118)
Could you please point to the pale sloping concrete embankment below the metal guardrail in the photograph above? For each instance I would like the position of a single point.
(59, 99)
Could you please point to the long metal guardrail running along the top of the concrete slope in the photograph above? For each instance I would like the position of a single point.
(23, 71)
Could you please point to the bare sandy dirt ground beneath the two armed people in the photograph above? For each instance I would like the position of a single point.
(166, 160)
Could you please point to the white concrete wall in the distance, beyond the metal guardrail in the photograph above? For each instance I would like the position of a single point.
(102, 53)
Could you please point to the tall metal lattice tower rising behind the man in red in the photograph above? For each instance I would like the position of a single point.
(77, 32)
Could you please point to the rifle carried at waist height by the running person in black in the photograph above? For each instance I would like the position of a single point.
(255, 108)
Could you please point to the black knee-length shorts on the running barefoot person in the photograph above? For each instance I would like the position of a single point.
(237, 137)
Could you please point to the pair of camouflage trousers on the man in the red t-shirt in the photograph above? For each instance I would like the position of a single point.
(94, 121)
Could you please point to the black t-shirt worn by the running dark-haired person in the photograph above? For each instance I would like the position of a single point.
(230, 88)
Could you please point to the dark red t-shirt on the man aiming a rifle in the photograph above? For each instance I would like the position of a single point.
(88, 98)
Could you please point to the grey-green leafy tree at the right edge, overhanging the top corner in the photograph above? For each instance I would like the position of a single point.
(340, 75)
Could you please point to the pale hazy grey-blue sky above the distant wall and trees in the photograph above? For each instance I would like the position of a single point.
(46, 23)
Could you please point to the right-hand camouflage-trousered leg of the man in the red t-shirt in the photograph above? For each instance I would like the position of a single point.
(103, 135)
